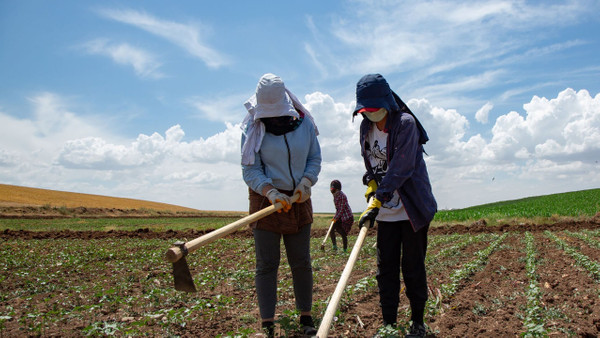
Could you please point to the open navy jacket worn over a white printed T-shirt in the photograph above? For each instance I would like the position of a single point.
(406, 171)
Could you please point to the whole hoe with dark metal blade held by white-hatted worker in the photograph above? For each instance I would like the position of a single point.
(176, 255)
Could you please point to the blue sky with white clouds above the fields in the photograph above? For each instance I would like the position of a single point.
(144, 99)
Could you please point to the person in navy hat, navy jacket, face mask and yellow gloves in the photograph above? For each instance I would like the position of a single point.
(399, 196)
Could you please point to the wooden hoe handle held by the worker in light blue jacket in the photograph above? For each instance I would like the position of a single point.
(174, 254)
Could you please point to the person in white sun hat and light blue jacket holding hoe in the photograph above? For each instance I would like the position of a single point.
(281, 156)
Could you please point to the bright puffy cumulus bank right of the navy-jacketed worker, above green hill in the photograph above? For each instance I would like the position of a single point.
(551, 147)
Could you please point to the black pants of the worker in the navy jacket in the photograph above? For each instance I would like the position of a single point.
(397, 243)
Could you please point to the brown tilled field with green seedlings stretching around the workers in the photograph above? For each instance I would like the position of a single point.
(108, 276)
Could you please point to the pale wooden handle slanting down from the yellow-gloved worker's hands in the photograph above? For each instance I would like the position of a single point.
(339, 289)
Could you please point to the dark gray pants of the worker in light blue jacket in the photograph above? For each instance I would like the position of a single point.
(297, 248)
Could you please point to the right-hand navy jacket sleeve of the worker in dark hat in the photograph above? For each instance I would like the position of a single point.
(401, 166)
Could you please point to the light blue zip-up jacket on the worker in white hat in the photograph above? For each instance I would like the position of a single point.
(283, 160)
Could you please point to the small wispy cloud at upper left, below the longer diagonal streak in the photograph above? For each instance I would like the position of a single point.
(142, 61)
